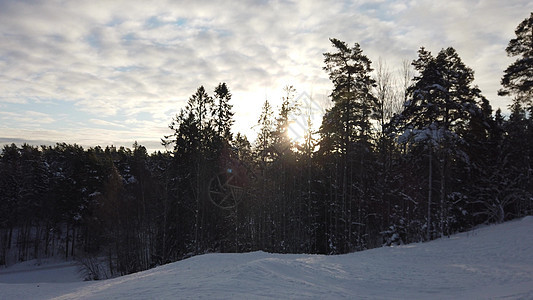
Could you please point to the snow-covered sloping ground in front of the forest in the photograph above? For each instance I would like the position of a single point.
(493, 262)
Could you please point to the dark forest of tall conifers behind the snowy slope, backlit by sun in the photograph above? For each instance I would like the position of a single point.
(392, 163)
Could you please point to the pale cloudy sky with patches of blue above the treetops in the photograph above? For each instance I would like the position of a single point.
(116, 72)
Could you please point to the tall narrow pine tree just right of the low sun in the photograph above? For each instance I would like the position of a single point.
(346, 144)
